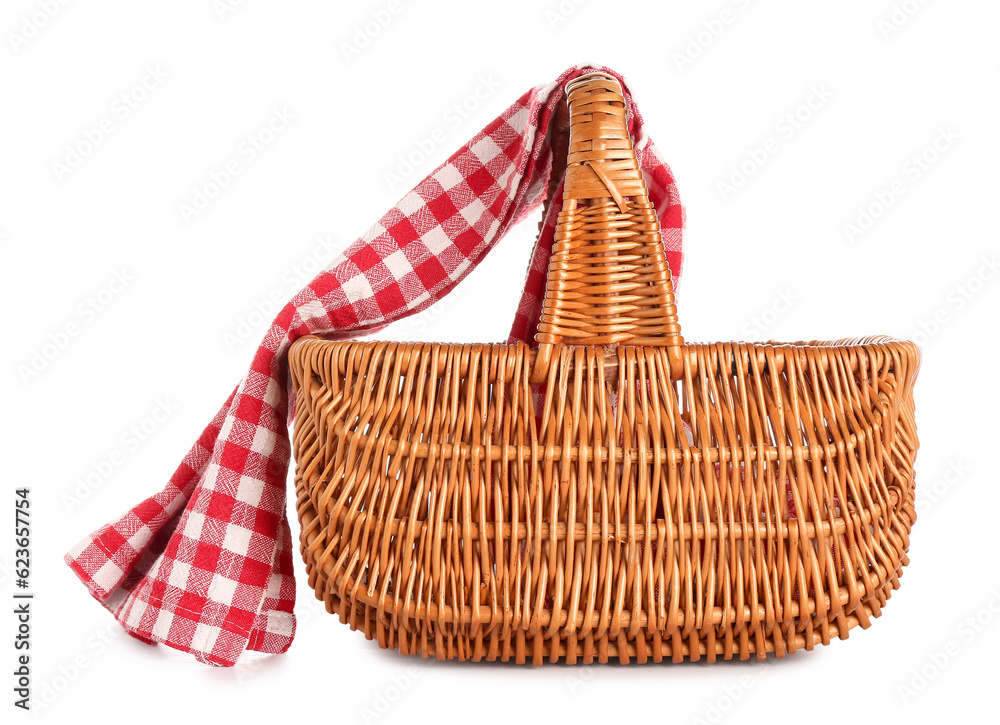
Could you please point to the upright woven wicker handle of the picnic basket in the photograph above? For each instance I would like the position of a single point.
(608, 279)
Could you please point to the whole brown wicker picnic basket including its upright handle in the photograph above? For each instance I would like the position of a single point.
(614, 493)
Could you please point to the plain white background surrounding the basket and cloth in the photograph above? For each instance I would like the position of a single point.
(770, 258)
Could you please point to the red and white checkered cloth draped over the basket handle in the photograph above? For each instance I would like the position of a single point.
(206, 564)
